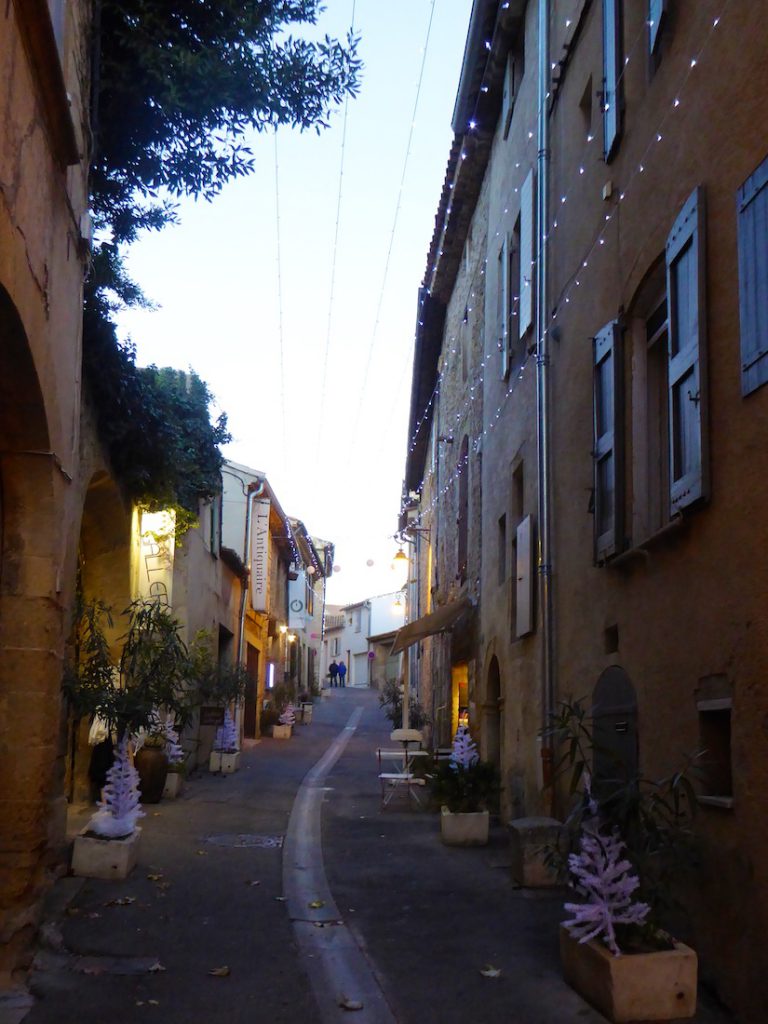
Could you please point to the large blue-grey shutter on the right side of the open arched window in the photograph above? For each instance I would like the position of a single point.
(688, 377)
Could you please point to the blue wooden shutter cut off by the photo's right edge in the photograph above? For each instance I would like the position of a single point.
(752, 202)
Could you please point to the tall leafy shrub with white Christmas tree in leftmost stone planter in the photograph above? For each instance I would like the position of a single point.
(124, 692)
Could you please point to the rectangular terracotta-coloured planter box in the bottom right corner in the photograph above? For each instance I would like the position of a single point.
(658, 987)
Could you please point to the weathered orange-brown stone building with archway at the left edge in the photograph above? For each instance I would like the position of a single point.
(45, 244)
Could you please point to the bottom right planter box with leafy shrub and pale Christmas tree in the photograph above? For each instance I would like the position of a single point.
(626, 838)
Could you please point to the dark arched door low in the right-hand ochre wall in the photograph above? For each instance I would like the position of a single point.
(616, 756)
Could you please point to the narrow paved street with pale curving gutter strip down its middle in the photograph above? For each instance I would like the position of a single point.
(224, 885)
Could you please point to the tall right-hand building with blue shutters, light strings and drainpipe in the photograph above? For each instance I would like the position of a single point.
(618, 511)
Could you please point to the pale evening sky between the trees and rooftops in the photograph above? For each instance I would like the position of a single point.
(335, 461)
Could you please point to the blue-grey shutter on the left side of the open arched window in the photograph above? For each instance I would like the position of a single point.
(609, 442)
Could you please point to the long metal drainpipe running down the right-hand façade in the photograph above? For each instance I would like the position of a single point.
(543, 399)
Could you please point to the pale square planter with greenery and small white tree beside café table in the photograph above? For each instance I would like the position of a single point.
(463, 788)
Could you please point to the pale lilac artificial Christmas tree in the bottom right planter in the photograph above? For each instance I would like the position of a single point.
(603, 876)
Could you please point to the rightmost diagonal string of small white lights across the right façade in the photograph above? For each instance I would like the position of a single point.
(598, 243)
